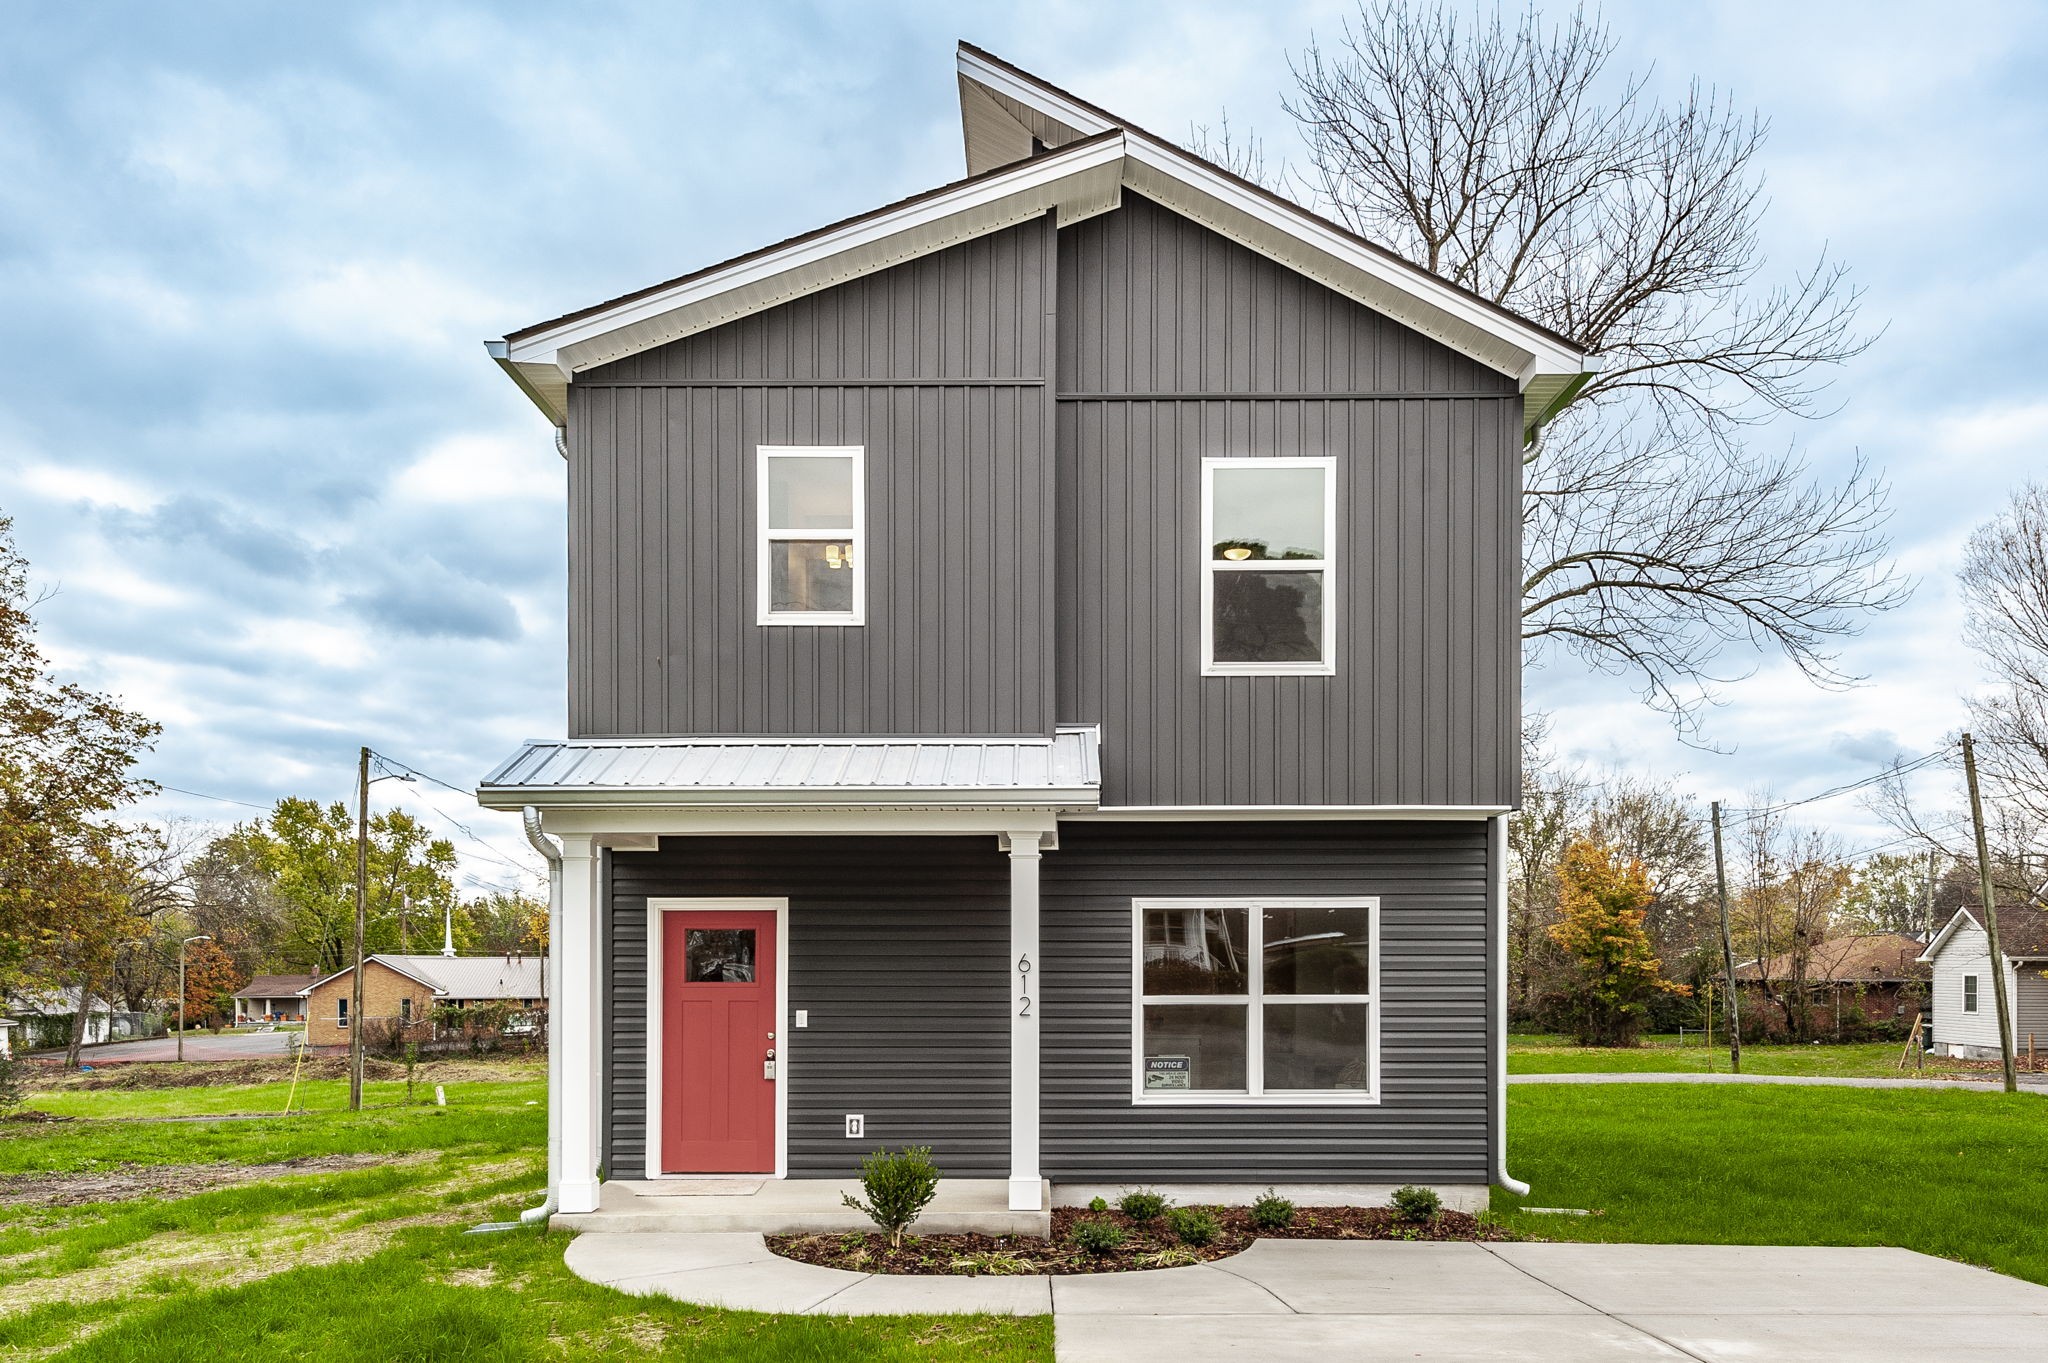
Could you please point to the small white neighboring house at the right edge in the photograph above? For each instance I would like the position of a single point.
(1965, 1008)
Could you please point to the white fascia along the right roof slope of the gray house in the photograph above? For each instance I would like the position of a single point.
(1539, 355)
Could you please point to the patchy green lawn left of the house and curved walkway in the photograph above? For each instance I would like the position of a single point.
(366, 1262)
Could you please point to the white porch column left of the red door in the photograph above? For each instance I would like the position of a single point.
(579, 1004)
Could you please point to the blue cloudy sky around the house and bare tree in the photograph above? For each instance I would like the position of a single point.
(249, 257)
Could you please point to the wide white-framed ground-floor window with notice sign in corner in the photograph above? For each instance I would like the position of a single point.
(1256, 1002)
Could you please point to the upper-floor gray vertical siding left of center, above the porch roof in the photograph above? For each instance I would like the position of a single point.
(941, 369)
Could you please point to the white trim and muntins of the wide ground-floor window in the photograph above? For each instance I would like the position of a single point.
(1254, 1012)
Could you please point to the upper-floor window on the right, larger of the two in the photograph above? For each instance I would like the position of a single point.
(1269, 578)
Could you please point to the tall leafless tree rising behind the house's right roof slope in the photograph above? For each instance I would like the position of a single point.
(1506, 159)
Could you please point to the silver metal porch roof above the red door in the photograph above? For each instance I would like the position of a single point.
(968, 771)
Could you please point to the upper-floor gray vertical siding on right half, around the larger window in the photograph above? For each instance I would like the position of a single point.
(1179, 345)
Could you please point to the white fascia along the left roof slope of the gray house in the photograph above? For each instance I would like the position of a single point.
(1033, 187)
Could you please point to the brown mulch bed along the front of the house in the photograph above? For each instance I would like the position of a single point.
(1150, 1245)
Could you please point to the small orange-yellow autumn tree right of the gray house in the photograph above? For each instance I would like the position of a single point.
(1603, 906)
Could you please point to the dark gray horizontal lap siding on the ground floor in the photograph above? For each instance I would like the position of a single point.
(898, 953)
